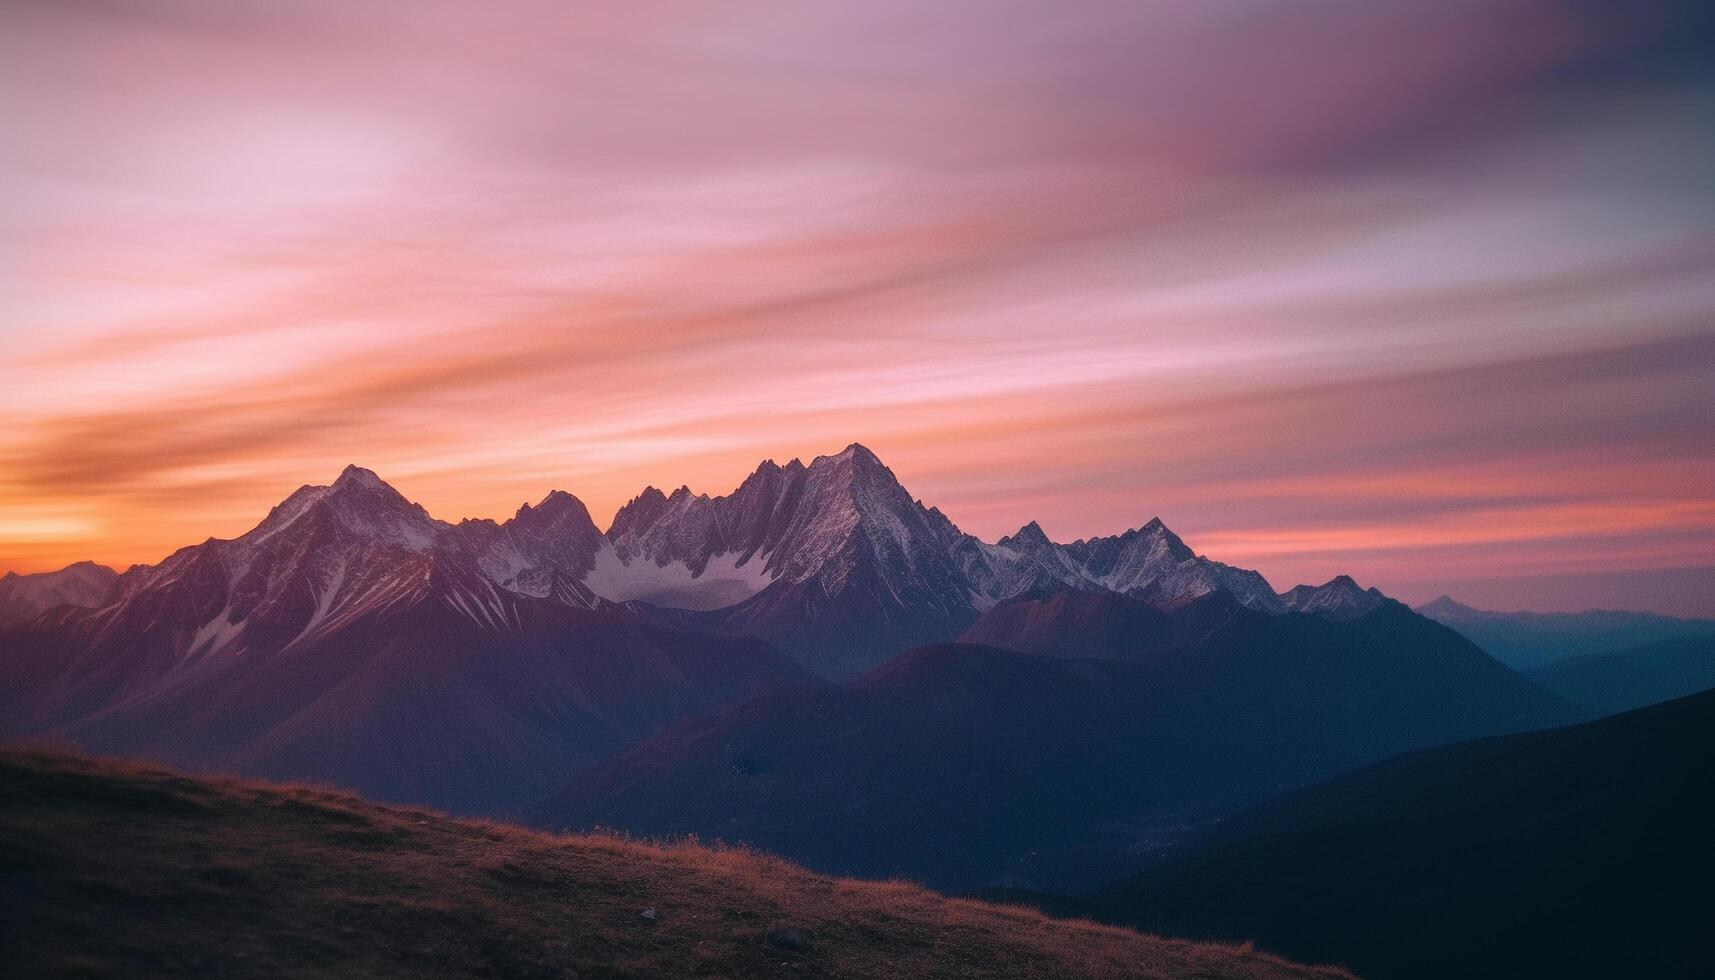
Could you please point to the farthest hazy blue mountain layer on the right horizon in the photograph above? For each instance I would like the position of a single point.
(1529, 641)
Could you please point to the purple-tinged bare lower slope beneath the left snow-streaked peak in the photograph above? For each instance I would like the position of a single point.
(419, 705)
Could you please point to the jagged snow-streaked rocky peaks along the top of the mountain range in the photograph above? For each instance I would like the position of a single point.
(833, 562)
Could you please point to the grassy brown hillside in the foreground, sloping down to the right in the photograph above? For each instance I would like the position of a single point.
(129, 871)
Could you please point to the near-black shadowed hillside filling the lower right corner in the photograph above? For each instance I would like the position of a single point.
(1580, 852)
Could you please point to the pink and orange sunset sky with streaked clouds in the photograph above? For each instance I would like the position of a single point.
(1421, 293)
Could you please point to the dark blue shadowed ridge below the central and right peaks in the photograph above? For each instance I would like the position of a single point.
(966, 766)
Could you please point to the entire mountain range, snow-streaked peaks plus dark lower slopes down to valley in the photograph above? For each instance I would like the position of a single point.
(778, 665)
